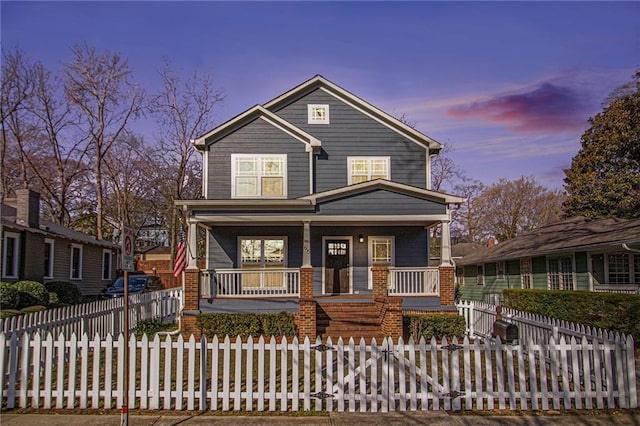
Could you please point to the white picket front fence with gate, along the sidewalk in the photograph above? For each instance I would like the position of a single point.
(43, 371)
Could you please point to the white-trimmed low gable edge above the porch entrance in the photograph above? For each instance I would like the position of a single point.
(381, 184)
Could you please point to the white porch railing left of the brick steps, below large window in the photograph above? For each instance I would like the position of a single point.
(250, 282)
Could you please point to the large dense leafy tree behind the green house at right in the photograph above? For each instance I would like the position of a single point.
(604, 178)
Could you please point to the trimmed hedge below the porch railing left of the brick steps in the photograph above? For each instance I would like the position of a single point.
(244, 325)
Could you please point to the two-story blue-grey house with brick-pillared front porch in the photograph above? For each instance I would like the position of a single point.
(308, 198)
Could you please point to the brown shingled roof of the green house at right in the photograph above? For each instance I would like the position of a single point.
(569, 235)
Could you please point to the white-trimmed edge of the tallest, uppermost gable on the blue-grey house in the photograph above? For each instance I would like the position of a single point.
(319, 82)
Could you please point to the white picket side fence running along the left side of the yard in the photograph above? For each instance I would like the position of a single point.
(100, 318)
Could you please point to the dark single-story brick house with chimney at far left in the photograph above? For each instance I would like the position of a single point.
(38, 250)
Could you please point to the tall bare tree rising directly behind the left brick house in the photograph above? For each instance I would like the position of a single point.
(101, 88)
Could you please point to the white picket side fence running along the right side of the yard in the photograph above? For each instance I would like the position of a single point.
(480, 317)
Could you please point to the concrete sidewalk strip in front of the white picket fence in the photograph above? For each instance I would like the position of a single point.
(438, 418)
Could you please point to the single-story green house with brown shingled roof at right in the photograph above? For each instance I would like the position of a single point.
(574, 254)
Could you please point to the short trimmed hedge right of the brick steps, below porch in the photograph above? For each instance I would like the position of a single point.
(438, 325)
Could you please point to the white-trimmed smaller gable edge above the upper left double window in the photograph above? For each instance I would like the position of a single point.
(257, 112)
